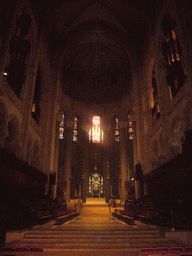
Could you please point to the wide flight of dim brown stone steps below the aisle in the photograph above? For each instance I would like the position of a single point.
(93, 239)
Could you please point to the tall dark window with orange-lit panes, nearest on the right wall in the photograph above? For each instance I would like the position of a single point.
(172, 51)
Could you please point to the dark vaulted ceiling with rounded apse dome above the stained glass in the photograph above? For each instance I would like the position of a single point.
(96, 42)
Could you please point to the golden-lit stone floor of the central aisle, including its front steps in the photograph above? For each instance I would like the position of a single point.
(94, 232)
